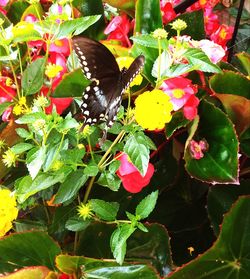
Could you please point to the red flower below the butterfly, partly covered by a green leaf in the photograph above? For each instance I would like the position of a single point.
(131, 178)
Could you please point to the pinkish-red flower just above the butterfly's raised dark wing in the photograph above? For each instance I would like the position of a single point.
(118, 29)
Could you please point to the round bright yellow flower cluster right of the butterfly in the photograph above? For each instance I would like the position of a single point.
(153, 110)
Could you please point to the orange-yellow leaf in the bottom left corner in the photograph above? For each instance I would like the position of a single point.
(33, 272)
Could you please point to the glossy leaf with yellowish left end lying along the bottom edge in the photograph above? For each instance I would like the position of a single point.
(103, 269)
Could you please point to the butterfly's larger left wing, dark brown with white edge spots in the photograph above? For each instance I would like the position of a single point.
(98, 65)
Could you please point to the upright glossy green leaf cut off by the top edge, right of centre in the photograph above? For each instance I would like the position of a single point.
(147, 16)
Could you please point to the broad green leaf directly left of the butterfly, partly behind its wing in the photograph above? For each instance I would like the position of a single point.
(72, 85)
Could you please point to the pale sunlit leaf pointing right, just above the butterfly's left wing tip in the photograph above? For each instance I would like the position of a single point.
(75, 26)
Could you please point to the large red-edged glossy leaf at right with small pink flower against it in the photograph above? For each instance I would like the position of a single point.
(220, 161)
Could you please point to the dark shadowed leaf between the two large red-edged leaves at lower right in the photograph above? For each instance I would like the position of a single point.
(221, 198)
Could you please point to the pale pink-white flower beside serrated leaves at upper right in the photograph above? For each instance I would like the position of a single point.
(214, 51)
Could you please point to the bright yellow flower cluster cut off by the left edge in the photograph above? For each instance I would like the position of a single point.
(8, 210)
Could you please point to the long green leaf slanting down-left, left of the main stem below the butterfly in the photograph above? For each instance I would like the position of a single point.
(70, 187)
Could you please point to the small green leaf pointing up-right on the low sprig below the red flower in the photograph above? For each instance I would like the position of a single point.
(146, 206)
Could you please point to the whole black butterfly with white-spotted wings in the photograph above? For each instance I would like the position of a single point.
(102, 98)
